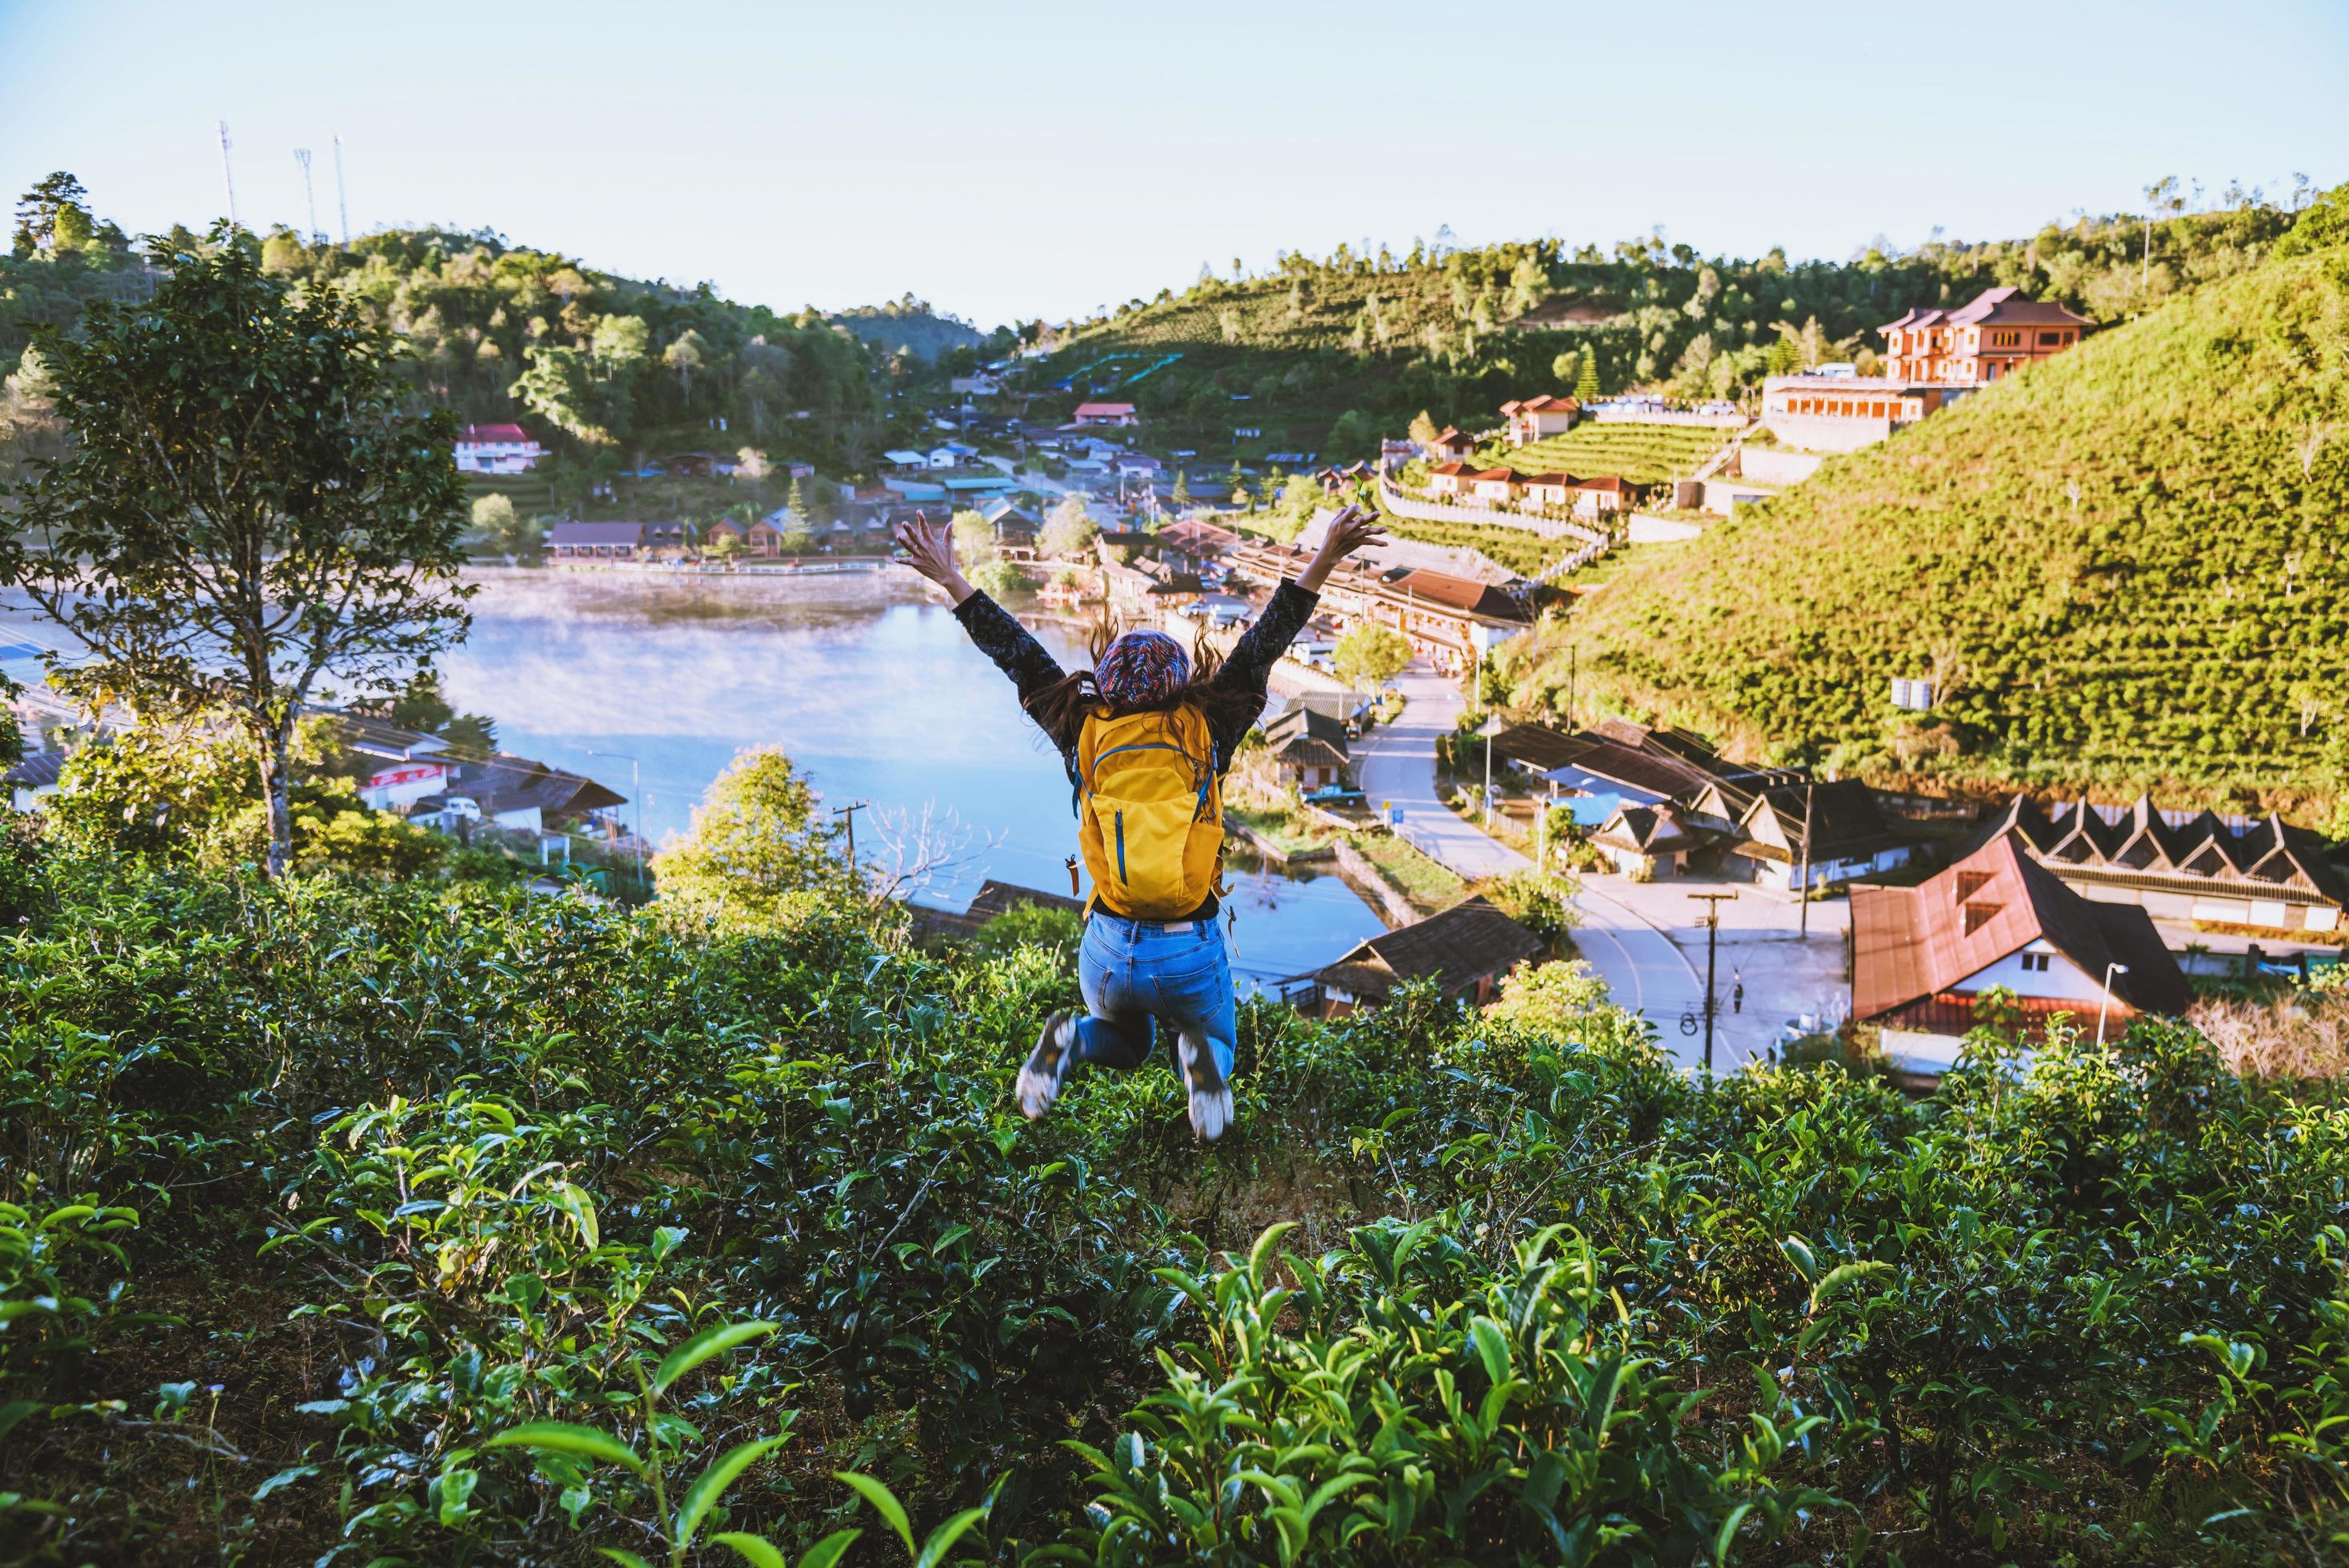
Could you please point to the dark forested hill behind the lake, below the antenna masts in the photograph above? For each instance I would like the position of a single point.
(607, 367)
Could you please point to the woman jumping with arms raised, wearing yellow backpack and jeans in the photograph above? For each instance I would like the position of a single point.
(1147, 738)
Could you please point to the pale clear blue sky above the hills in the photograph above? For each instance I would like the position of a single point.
(1051, 158)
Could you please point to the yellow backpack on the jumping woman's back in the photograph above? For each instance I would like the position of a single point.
(1150, 813)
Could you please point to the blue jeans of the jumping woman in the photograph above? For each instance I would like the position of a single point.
(1136, 973)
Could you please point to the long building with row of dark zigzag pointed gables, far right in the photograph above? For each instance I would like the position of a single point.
(2186, 865)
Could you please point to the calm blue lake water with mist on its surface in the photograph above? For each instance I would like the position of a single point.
(866, 682)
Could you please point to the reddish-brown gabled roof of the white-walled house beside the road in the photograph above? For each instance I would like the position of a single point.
(1916, 942)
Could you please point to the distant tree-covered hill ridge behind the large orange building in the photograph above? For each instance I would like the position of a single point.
(1462, 330)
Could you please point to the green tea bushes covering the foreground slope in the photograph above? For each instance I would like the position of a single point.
(386, 1224)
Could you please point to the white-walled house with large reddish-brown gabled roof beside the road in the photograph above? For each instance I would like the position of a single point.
(1925, 957)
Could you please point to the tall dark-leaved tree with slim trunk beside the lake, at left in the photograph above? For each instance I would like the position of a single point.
(245, 513)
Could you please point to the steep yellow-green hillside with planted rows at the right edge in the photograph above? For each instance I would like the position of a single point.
(2122, 569)
